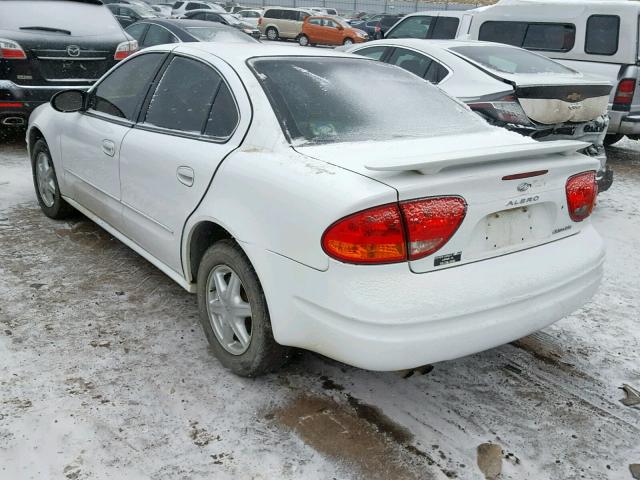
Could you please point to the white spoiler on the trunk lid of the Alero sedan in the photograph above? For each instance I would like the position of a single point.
(429, 164)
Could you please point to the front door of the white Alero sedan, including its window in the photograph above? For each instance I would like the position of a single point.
(91, 143)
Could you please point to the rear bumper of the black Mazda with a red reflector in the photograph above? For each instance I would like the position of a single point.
(24, 99)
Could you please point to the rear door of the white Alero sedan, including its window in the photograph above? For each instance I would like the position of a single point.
(195, 117)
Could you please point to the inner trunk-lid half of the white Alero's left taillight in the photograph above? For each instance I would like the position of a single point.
(431, 222)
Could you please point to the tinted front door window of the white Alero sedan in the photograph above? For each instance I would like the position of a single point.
(123, 90)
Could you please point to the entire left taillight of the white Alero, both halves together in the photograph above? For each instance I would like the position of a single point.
(395, 233)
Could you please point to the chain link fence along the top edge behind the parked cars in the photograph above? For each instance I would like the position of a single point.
(349, 7)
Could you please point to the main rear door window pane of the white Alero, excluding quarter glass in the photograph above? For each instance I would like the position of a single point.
(184, 96)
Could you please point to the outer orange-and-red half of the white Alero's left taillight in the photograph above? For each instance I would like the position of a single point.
(375, 235)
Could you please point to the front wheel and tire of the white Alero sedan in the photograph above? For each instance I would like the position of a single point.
(45, 182)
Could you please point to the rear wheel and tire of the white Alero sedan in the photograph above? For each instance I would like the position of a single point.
(248, 348)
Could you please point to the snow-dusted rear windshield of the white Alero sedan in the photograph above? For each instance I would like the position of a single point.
(321, 100)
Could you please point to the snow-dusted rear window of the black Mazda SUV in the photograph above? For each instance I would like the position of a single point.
(78, 18)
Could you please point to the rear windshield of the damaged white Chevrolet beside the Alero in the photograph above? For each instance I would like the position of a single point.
(511, 60)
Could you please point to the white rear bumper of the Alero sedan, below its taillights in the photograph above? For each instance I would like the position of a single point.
(388, 318)
